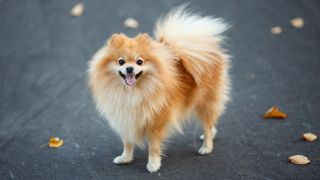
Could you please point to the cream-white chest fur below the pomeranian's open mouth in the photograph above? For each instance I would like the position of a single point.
(128, 111)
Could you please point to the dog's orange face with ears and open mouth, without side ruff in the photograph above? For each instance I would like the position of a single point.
(130, 57)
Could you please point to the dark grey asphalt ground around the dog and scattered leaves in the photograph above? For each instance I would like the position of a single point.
(43, 92)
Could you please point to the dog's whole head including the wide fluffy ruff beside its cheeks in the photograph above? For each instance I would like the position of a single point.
(130, 60)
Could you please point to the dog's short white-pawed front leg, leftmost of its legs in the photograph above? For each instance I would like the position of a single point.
(127, 154)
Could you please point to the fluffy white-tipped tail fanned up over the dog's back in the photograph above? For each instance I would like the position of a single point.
(196, 39)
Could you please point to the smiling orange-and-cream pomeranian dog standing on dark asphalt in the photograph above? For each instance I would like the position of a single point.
(145, 87)
